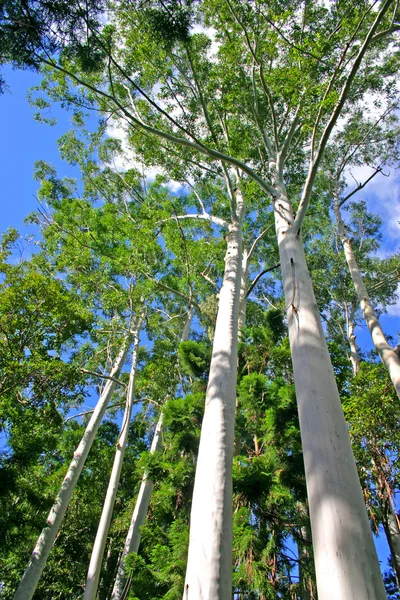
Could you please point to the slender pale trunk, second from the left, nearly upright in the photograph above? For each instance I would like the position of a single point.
(93, 576)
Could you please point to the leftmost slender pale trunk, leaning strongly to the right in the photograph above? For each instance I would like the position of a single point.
(38, 559)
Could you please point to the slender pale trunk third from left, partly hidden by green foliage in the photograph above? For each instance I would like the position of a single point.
(133, 537)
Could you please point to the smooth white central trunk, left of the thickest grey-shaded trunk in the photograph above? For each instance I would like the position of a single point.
(209, 568)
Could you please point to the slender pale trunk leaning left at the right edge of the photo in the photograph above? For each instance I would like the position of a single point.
(386, 352)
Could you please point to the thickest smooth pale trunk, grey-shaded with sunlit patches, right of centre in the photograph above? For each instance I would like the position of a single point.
(346, 563)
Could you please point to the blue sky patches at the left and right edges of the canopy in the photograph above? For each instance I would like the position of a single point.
(26, 141)
